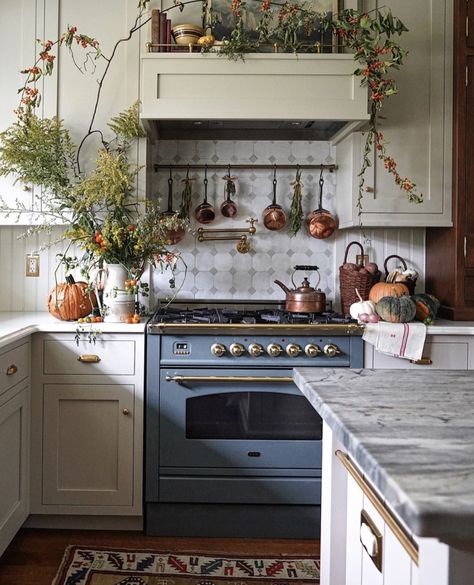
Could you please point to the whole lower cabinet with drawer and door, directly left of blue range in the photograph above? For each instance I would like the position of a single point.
(87, 427)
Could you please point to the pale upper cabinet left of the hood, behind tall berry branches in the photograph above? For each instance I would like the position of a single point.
(70, 93)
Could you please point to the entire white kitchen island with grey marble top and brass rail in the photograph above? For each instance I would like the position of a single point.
(405, 458)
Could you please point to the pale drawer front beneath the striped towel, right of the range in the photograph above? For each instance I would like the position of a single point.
(444, 355)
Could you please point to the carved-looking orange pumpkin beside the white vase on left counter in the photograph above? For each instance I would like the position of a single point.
(69, 300)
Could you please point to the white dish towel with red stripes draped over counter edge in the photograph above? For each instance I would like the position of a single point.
(405, 340)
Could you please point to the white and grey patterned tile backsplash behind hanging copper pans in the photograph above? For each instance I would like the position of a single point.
(215, 269)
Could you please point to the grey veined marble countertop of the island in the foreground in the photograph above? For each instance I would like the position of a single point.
(412, 433)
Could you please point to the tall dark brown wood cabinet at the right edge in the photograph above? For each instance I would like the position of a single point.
(450, 251)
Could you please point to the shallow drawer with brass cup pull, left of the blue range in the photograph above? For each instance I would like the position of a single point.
(114, 357)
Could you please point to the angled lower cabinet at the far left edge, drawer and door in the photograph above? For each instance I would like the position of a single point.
(14, 441)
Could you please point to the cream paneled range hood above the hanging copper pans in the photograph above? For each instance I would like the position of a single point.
(265, 97)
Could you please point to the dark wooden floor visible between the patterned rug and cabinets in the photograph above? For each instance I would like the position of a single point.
(34, 555)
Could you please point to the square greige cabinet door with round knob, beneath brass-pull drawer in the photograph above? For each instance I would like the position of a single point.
(88, 445)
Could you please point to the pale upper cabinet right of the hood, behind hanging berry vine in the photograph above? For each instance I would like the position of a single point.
(416, 123)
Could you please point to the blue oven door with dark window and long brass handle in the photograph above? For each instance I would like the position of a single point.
(236, 419)
